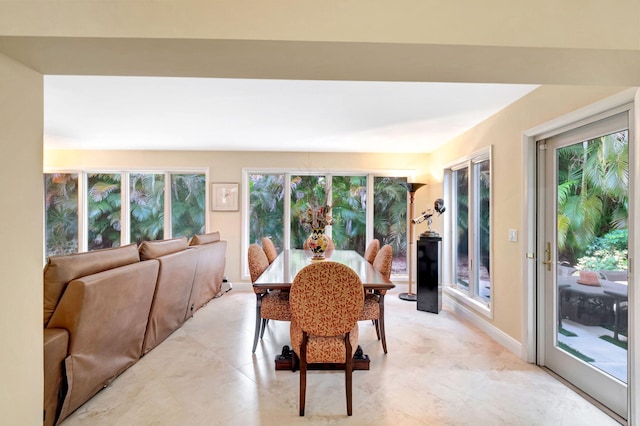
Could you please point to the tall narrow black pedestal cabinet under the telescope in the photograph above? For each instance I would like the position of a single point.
(429, 279)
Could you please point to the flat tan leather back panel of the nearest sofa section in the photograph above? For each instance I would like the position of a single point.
(106, 317)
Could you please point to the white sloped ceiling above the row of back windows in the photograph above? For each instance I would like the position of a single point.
(170, 113)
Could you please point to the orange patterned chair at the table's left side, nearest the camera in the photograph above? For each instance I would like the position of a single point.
(269, 305)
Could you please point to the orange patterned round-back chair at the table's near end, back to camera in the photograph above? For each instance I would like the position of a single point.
(326, 301)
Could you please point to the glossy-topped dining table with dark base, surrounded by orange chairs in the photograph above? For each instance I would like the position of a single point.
(281, 272)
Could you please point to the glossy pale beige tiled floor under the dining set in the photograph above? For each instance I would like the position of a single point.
(439, 371)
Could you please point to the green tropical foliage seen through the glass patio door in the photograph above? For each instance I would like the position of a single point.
(593, 201)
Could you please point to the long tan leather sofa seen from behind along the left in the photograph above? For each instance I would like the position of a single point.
(104, 309)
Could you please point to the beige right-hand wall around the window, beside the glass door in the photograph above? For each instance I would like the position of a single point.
(503, 132)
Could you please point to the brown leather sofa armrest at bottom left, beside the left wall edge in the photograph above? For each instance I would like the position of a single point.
(56, 343)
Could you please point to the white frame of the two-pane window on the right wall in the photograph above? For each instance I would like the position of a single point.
(468, 297)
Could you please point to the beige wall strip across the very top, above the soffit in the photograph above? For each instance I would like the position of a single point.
(543, 23)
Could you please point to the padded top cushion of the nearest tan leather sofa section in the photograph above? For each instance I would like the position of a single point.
(60, 270)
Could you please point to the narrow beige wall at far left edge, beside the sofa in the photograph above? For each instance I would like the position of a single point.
(21, 250)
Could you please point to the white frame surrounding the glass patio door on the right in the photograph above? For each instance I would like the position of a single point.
(529, 295)
